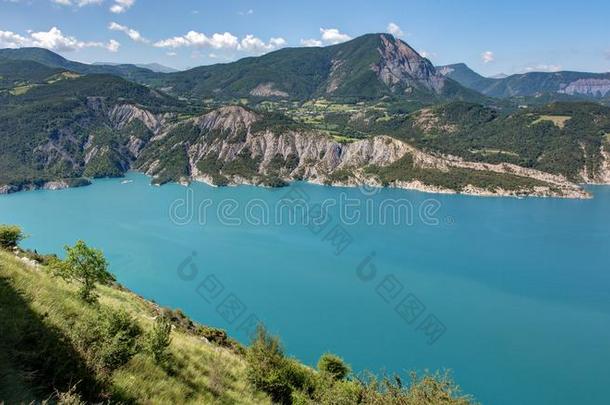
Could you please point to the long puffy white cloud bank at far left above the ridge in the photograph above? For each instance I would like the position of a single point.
(54, 40)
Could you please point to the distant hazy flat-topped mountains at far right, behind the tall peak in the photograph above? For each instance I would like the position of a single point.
(593, 86)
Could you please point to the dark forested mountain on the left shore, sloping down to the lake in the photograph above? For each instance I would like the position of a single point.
(58, 125)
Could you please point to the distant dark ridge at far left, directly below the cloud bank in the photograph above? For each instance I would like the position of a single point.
(51, 59)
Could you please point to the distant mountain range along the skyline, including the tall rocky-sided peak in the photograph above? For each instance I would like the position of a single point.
(368, 67)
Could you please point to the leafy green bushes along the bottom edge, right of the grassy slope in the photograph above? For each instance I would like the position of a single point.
(288, 382)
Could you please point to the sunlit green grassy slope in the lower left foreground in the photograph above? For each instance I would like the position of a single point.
(36, 304)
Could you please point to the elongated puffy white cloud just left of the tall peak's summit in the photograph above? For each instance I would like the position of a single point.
(224, 41)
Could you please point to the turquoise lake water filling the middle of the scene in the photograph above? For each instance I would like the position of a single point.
(521, 287)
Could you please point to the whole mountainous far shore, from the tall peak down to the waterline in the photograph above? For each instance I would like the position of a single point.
(337, 115)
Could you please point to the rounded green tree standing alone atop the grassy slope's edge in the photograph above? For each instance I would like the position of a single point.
(85, 265)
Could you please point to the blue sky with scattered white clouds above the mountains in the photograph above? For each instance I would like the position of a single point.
(492, 37)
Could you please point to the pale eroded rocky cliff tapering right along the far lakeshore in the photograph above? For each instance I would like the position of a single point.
(225, 149)
